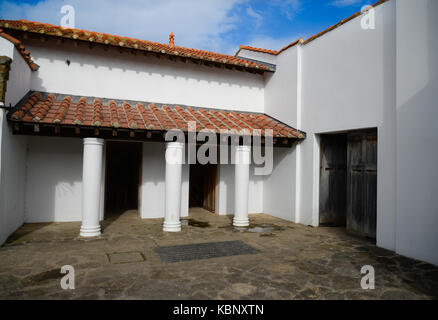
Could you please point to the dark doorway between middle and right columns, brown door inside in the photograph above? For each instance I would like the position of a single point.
(202, 186)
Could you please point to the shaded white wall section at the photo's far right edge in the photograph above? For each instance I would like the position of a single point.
(417, 147)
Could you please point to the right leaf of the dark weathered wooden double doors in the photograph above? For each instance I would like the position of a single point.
(362, 183)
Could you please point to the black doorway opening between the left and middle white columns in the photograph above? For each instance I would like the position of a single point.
(123, 160)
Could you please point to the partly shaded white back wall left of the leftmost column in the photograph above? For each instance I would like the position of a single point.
(53, 179)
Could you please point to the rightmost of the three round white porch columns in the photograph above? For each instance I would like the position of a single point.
(241, 185)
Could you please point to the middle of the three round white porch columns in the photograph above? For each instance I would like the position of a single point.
(174, 159)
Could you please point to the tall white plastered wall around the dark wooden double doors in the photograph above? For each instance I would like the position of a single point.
(349, 83)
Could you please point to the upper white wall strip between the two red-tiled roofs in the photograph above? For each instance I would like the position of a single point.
(111, 74)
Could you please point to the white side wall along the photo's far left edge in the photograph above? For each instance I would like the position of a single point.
(12, 148)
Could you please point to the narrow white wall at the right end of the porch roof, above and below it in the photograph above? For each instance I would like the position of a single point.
(282, 101)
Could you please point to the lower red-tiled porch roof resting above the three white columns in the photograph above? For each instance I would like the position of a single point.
(47, 109)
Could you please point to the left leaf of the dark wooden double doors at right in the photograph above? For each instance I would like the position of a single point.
(333, 180)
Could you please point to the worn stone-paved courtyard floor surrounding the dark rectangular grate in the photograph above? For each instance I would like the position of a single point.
(293, 262)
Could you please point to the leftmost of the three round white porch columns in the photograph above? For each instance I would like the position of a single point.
(91, 186)
